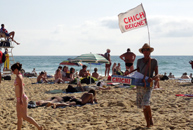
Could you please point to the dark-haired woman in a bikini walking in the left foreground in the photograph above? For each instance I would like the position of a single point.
(22, 99)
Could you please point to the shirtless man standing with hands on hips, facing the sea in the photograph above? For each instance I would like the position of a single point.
(129, 58)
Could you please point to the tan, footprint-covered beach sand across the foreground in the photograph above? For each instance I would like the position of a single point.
(116, 109)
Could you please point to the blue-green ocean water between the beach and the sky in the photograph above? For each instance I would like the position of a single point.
(175, 64)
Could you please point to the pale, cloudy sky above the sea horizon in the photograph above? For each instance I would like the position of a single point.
(75, 27)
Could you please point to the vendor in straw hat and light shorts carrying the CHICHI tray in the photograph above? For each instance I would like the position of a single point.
(147, 66)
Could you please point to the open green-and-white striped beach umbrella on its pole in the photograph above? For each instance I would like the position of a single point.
(90, 58)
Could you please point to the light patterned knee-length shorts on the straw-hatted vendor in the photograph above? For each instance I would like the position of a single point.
(143, 96)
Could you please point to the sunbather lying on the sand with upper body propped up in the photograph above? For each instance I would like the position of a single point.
(89, 97)
